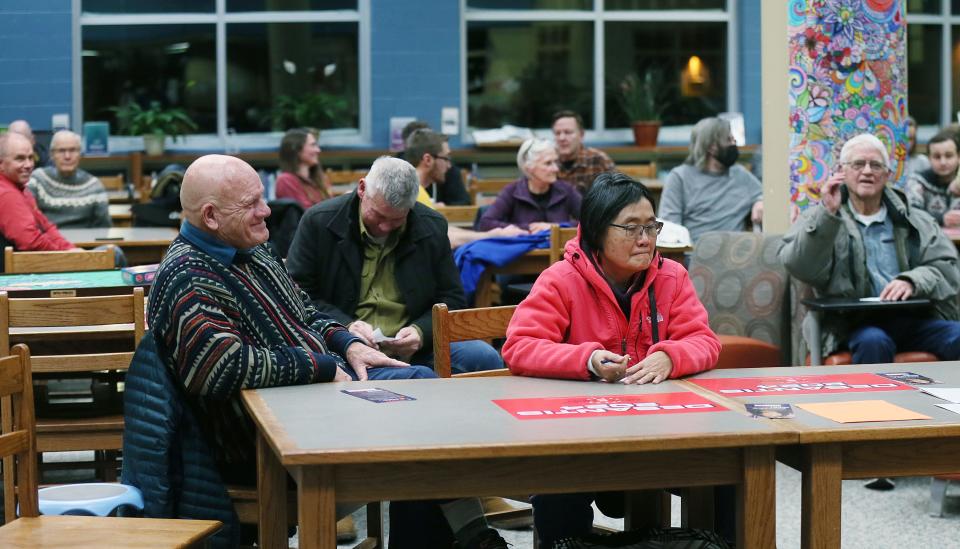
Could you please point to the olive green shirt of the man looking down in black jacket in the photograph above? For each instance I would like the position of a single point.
(381, 304)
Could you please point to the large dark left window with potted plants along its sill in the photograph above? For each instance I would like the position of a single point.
(235, 66)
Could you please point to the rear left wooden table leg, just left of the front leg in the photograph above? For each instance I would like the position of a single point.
(271, 497)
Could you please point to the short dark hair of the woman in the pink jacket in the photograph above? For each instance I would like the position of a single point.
(610, 193)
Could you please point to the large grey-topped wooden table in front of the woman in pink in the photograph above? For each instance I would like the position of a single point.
(452, 441)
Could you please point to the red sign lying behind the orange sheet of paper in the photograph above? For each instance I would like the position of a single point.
(801, 385)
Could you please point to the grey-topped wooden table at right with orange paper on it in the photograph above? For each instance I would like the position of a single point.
(830, 451)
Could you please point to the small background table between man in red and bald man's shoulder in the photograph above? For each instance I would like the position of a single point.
(141, 245)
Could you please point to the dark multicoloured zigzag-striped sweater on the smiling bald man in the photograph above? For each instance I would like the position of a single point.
(223, 328)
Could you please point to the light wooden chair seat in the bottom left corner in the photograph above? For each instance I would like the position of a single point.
(95, 532)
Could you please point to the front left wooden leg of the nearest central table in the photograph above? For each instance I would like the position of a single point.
(318, 508)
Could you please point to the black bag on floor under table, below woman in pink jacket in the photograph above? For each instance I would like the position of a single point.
(648, 538)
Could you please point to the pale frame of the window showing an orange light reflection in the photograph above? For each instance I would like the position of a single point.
(599, 16)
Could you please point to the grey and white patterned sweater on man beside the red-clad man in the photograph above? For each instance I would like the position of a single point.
(77, 201)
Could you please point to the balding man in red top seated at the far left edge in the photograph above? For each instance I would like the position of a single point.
(22, 224)
